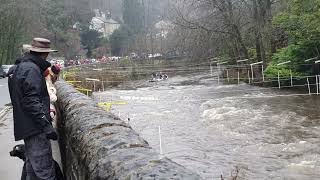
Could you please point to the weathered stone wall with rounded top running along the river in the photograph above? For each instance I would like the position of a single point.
(97, 145)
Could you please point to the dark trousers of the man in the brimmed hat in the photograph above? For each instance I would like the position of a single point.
(39, 161)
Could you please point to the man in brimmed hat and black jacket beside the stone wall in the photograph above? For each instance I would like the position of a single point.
(31, 103)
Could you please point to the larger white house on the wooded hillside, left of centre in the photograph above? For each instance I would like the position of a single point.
(104, 23)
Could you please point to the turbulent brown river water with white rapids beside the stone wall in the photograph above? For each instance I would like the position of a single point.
(211, 129)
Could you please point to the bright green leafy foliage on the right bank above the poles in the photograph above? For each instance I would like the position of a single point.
(301, 22)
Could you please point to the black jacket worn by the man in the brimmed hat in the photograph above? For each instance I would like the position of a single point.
(29, 97)
